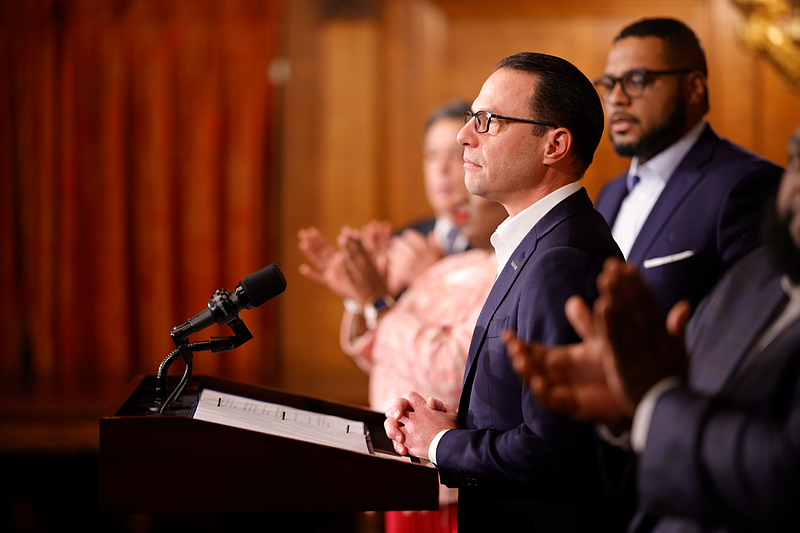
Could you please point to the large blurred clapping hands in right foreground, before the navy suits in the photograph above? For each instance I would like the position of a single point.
(625, 350)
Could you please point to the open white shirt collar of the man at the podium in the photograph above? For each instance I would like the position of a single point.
(510, 233)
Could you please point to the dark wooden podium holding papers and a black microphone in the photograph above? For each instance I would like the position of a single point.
(154, 463)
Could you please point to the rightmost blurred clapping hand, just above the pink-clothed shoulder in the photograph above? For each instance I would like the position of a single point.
(409, 254)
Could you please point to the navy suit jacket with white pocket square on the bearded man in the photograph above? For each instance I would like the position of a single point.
(712, 205)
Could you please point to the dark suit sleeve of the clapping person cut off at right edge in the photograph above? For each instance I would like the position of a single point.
(715, 462)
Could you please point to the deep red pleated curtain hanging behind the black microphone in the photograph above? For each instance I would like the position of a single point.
(138, 176)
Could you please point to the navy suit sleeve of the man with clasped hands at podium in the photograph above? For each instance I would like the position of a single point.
(525, 441)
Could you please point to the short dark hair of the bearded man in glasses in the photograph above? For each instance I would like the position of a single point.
(682, 48)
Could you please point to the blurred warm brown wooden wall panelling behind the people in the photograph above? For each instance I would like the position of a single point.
(365, 74)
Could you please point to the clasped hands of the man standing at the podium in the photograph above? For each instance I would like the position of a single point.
(412, 422)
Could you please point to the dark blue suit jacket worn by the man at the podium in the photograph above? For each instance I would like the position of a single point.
(511, 455)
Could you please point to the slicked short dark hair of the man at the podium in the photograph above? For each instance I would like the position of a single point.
(564, 96)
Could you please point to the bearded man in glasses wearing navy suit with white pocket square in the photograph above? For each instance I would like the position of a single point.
(690, 203)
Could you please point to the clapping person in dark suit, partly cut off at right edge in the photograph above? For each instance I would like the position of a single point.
(715, 419)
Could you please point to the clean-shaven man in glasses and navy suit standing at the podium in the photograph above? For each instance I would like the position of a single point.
(528, 139)
